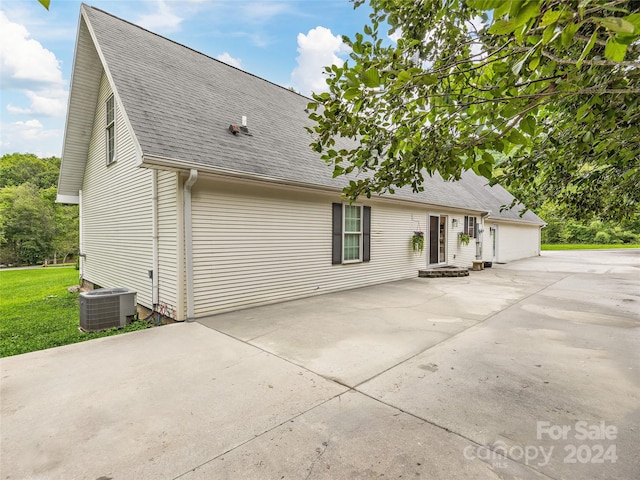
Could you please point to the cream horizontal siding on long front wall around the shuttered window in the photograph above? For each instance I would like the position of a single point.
(256, 244)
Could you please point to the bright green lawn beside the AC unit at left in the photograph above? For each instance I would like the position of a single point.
(37, 311)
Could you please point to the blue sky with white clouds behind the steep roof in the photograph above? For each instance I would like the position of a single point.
(284, 41)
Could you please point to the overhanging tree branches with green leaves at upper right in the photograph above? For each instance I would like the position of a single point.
(538, 95)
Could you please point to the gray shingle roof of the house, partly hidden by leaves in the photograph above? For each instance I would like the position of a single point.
(181, 102)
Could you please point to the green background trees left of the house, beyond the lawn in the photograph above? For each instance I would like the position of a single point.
(33, 227)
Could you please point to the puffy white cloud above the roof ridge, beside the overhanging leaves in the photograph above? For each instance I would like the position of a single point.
(317, 49)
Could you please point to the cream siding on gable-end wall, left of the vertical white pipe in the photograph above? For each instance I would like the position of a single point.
(117, 210)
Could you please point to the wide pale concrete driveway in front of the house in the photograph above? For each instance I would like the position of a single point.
(529, 370)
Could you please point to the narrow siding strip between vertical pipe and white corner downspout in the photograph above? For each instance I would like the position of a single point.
(170, 247)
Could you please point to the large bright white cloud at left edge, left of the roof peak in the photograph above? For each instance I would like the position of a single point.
(24, 62)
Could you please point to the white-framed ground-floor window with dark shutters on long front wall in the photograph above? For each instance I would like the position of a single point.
(351, 233)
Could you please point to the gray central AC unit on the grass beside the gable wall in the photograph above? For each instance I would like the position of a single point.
(106, 308)
